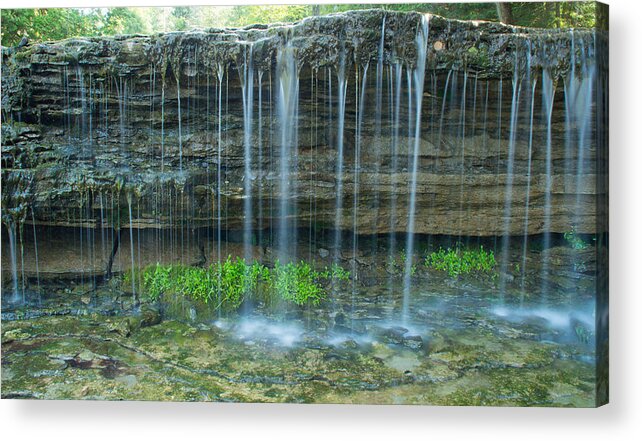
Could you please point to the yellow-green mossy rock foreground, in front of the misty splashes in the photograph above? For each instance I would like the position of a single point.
(175, 361)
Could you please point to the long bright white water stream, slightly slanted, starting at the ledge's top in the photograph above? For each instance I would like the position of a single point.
(418, 78)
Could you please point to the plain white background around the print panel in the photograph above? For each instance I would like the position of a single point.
(622, 419)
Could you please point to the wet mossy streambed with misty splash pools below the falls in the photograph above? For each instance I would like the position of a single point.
(458, 349)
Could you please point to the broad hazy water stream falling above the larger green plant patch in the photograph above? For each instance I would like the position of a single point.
(288, 100)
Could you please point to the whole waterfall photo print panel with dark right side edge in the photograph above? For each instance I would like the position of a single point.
(388, 205)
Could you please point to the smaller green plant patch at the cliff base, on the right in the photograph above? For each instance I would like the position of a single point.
(459, 261)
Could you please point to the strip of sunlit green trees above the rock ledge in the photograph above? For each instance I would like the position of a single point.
(52, 24)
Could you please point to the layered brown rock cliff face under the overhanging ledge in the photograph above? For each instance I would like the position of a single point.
(152, 130)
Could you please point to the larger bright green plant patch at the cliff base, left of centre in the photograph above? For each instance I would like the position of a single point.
(228, 284)
